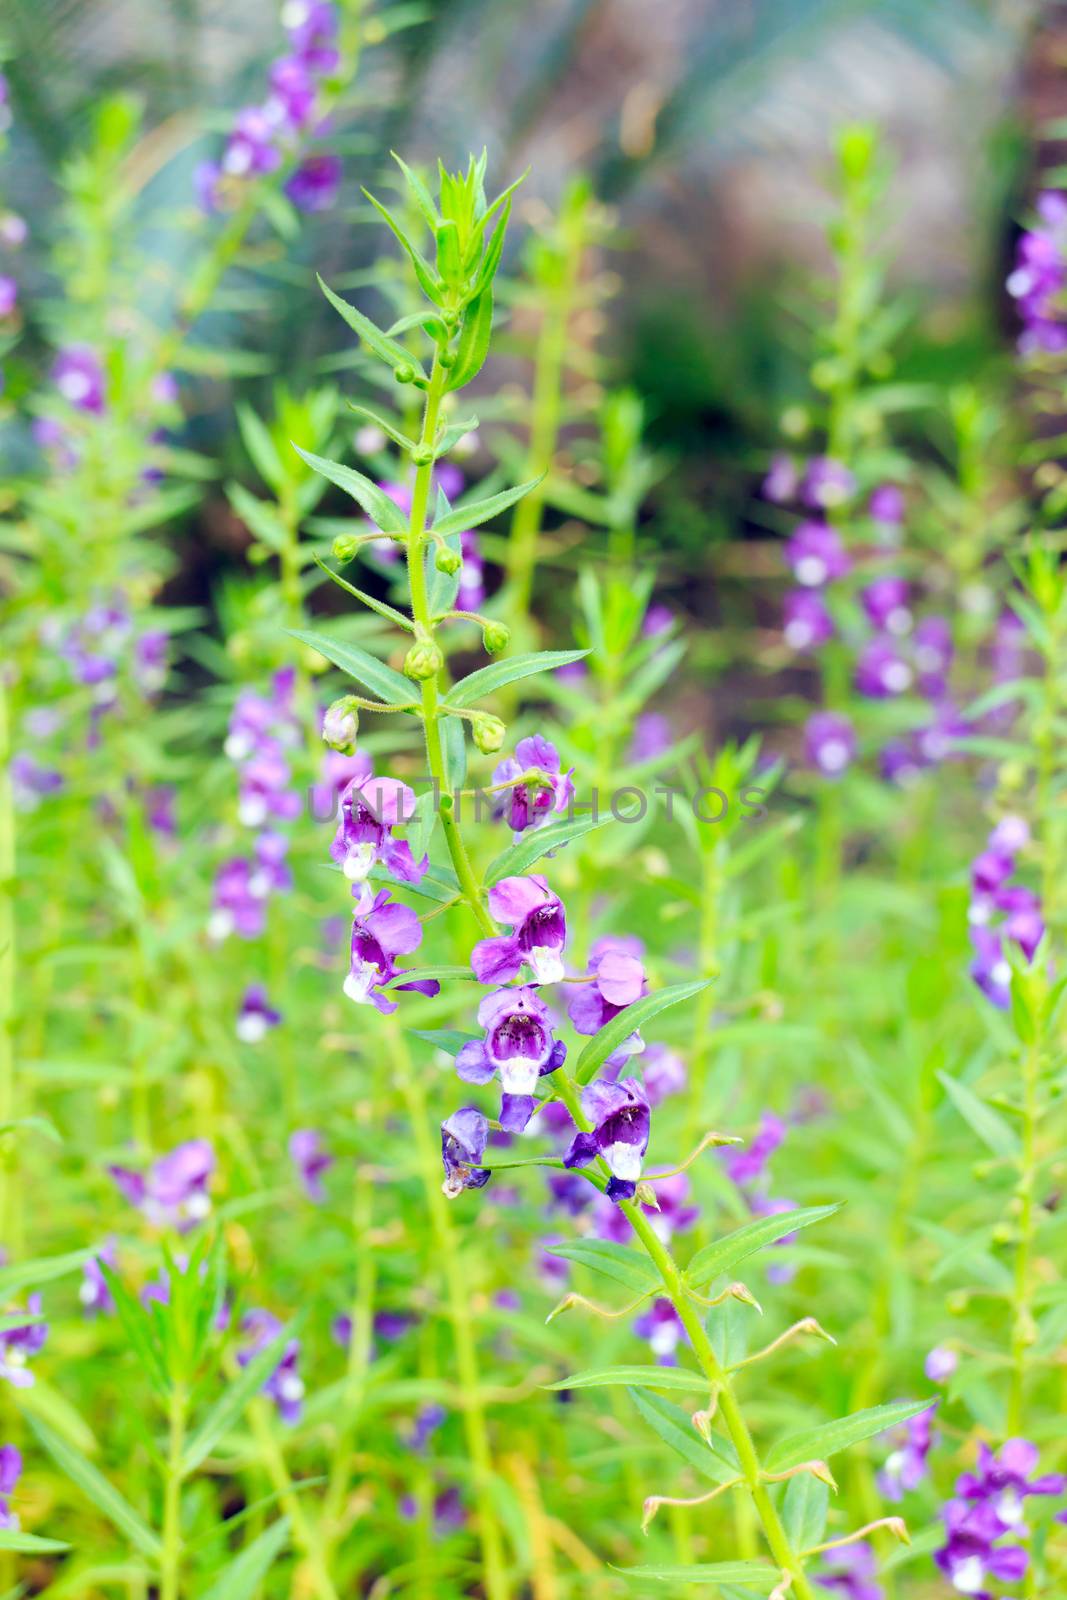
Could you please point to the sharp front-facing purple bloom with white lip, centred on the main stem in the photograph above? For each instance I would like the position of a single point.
(519, 1046)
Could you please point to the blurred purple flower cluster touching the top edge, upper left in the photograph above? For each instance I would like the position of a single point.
(266, 135)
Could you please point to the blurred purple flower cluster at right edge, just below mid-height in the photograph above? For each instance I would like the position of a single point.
(1002, 911)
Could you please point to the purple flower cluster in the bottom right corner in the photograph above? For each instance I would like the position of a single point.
(989, 1510)
